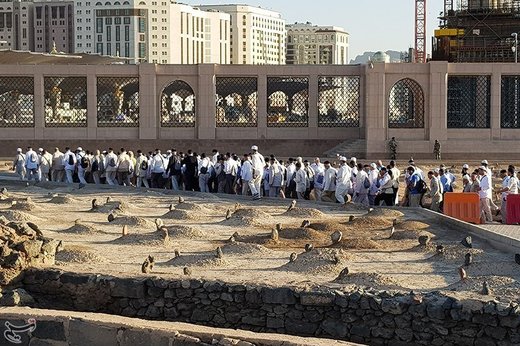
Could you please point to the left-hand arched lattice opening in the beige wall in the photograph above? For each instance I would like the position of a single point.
(178, 105)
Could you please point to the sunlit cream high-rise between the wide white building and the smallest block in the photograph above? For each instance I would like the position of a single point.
(257, 35)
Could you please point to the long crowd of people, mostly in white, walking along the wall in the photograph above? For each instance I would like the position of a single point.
(341, 181)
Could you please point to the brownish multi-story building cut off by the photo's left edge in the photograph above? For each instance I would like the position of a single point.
(15, 24)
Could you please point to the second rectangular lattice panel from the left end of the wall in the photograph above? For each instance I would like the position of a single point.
(65, 101)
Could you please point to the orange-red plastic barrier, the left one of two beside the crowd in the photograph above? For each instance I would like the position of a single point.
(463, 206)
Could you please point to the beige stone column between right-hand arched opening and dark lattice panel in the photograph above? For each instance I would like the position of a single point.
(438, 101)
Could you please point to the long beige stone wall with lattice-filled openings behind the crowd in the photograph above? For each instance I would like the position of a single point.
(376, 83)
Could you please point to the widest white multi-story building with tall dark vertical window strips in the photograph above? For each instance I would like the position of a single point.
(154, 31)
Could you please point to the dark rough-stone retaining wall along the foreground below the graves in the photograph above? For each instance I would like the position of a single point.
(370, 317)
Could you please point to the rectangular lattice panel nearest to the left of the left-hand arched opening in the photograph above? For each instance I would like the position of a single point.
(118, 101)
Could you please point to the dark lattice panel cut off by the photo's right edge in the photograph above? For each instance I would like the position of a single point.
(510, 102)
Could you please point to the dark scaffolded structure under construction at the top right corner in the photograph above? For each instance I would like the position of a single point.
(477, 31)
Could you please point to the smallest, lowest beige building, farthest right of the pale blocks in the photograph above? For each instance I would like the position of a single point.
(313, 44)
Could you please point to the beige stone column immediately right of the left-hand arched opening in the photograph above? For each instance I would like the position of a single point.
(206, 105)
